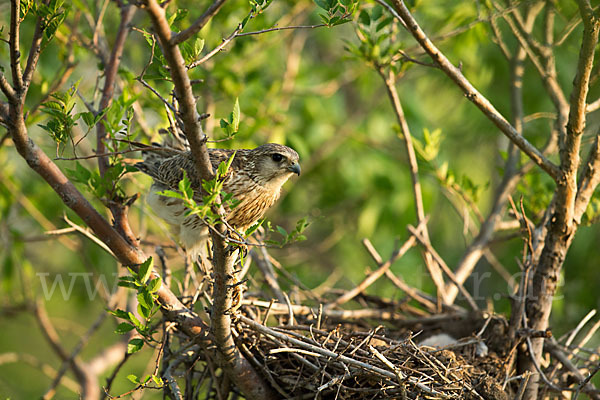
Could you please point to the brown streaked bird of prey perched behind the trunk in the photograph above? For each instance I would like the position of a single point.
(255, 178)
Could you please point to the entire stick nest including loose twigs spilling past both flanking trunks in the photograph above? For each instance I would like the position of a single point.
(377, 348)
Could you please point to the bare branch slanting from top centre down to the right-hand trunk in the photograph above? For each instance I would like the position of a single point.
(473, 94)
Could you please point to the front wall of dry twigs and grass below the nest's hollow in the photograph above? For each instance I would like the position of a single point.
(347, 362)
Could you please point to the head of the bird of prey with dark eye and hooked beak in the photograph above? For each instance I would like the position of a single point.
(274, 164)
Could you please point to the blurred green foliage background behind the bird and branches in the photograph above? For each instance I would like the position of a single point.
(302, 88)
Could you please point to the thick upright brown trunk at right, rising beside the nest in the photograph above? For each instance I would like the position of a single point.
(562, 226)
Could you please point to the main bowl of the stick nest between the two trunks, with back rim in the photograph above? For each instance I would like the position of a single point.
(321, 354)
